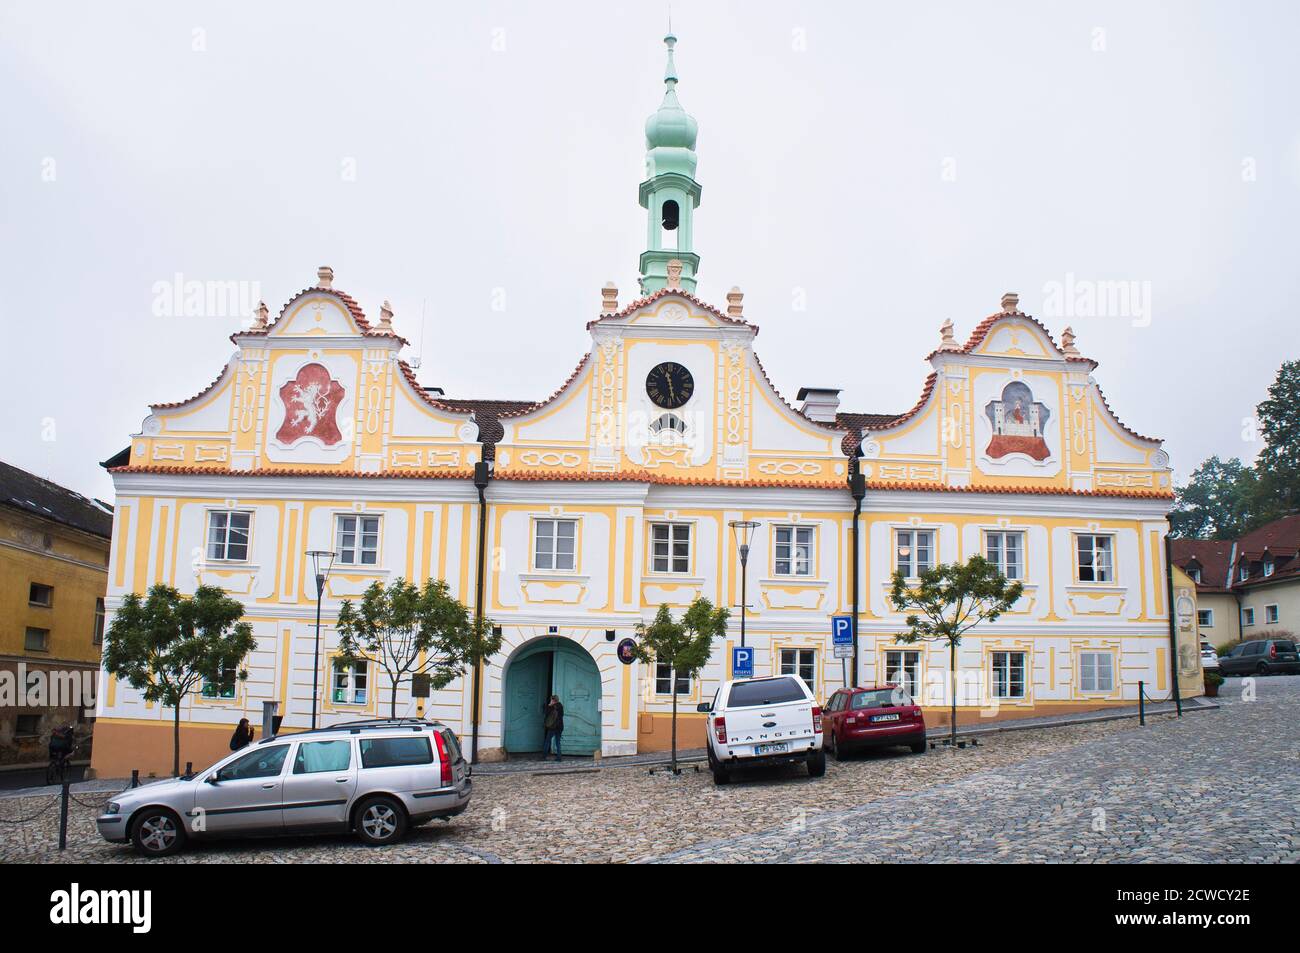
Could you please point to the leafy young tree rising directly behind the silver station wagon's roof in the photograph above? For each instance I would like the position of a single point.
(413, 631)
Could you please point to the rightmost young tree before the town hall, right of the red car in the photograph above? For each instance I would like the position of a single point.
(948, 601)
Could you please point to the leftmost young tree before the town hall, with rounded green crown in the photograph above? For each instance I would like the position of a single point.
(168, 646)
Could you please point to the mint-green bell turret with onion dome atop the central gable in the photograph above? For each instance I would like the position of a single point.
(670, 193)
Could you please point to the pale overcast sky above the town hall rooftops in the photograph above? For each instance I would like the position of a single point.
(869, 171)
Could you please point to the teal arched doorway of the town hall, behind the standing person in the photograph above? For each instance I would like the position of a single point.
(534, 674)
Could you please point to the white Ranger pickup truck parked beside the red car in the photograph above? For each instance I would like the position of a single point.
(755, 722)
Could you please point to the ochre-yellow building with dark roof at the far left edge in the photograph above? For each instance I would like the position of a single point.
(54, 573)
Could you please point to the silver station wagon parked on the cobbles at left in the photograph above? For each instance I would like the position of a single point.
(376, 778)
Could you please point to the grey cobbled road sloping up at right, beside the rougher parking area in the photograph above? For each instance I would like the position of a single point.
(1210, 789)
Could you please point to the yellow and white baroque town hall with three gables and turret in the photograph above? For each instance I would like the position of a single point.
(616, 496)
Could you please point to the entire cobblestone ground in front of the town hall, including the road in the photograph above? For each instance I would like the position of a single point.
(1204, 789)
